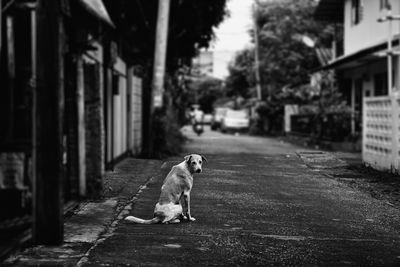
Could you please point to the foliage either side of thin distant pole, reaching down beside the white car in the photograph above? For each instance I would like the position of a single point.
(286, 62)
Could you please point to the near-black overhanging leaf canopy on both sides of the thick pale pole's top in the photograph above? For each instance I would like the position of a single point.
(190, 28)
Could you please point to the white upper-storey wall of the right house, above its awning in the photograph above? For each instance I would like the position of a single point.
(368, 32)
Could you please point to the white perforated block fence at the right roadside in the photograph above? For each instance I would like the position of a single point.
(381, 132)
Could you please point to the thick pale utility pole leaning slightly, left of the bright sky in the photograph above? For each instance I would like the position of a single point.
(157, 84)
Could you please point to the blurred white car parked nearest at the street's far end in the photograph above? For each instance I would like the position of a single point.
(235, 120)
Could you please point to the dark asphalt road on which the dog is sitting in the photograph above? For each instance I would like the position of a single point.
(257, 203)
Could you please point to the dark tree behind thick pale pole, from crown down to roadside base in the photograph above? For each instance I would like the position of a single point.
(191, 27)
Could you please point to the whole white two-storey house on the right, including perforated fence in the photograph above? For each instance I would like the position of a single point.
(369, 73)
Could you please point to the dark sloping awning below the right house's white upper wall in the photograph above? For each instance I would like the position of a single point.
(372, 53)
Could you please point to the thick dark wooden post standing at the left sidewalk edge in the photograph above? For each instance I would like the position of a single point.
(49, 107)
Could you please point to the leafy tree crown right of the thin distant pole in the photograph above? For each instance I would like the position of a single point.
(284, 58)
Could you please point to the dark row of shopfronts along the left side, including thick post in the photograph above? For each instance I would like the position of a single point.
(70, 108)
